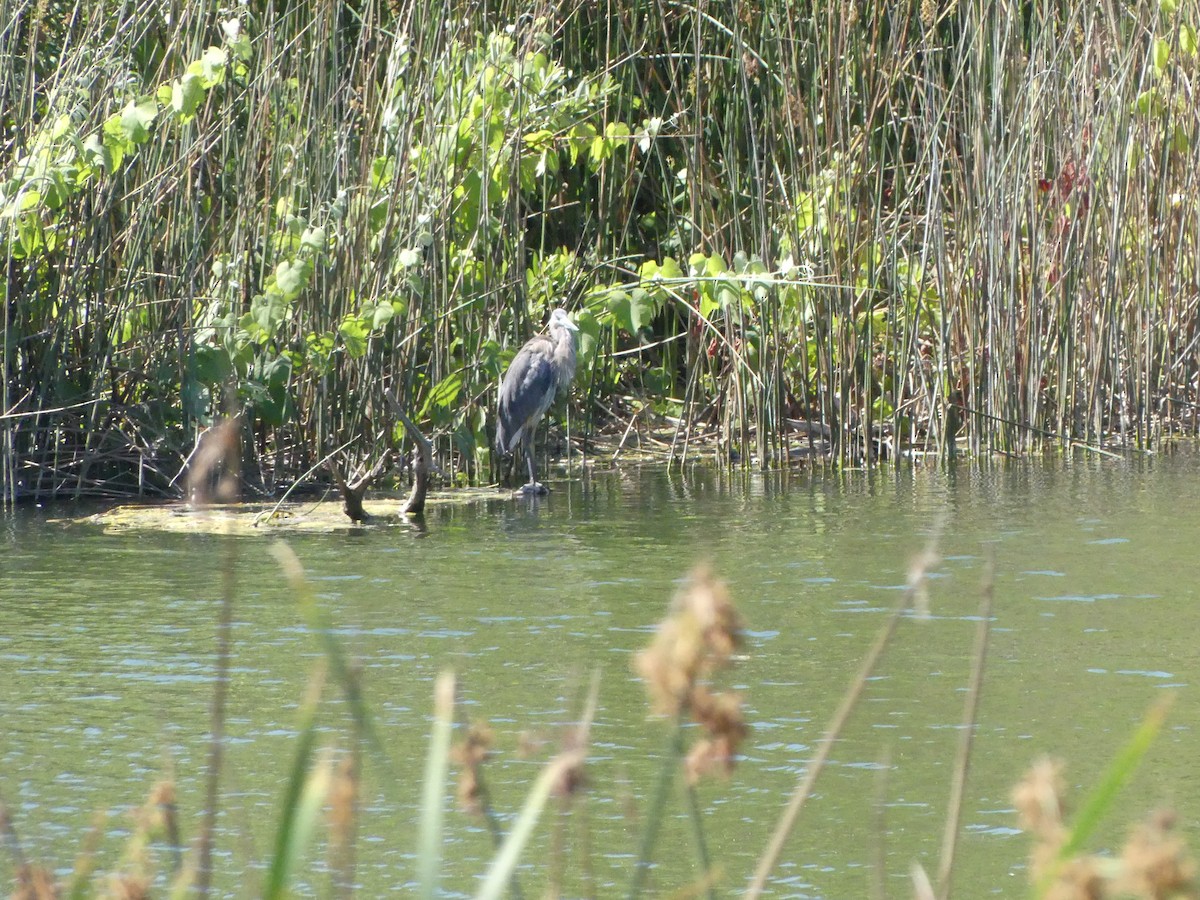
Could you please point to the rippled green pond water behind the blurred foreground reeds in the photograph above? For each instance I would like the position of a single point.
(107, 649)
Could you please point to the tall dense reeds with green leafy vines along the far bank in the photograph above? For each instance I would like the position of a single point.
(842, 230)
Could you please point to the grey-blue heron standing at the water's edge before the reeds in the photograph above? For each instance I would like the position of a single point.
(542, 369)
